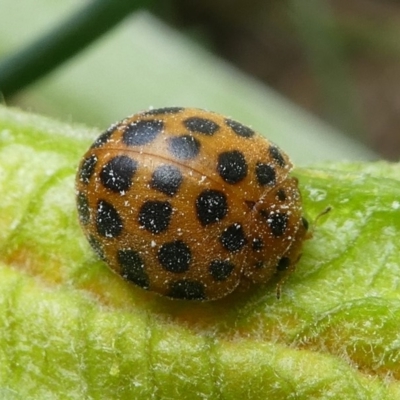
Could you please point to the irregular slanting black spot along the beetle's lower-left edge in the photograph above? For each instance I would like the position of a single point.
(132, 268)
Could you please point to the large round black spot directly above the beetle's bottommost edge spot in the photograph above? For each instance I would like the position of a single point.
(175, 256)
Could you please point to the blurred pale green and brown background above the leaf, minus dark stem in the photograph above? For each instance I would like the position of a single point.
(282, 67)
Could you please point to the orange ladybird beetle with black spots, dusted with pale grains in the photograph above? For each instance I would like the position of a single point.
(187, 203)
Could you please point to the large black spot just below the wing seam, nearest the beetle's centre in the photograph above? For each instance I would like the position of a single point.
(211, 206)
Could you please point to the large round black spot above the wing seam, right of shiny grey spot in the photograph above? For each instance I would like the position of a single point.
(232, 166)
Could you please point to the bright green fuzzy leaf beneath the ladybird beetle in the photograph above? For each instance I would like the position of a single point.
(70, 327)
